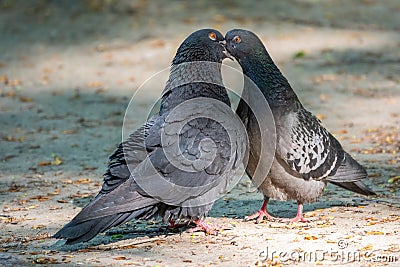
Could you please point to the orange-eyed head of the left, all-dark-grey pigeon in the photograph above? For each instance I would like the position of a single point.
(201, 45)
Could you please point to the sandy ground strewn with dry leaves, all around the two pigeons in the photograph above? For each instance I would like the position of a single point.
(68, 70)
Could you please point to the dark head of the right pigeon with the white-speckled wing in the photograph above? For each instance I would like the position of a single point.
(245, 45)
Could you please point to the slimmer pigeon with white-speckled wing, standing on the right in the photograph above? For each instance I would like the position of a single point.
(307, 156)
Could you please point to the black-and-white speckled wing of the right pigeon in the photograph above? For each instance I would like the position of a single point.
(306, 149)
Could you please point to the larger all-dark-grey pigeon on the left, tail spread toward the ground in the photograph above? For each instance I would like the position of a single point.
(181, 160)
